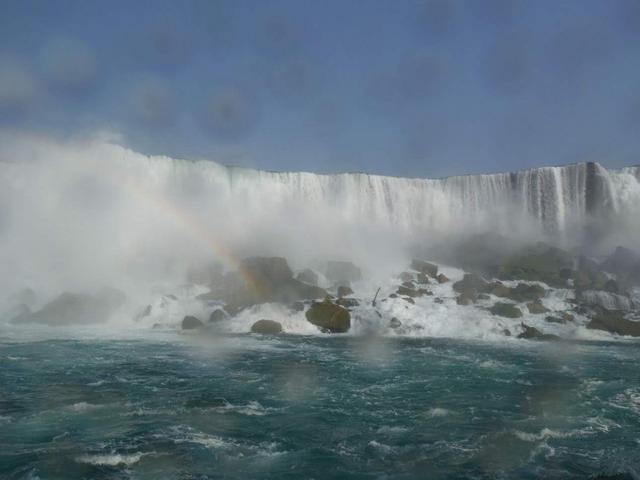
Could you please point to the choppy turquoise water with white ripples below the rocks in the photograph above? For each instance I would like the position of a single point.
(317, 407)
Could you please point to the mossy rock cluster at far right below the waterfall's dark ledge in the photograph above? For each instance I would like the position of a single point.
(600, 290)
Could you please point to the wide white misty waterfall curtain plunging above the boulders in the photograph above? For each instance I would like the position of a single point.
(68, 207)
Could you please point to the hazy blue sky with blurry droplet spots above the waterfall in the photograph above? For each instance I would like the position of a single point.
(409, 88)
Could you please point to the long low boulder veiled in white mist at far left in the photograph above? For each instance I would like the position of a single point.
(76, 309)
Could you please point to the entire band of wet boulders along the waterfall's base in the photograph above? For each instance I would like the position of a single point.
(515, 288)
